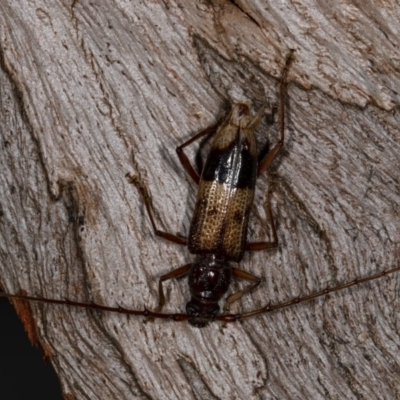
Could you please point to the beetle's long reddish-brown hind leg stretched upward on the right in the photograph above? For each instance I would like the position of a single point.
(271, 155)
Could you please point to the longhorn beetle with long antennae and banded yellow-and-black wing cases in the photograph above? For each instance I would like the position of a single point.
(219, 226)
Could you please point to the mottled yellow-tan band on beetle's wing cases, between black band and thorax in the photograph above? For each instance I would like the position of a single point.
(220, 220)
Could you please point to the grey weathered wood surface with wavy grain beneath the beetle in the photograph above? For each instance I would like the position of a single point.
(85, 85)
